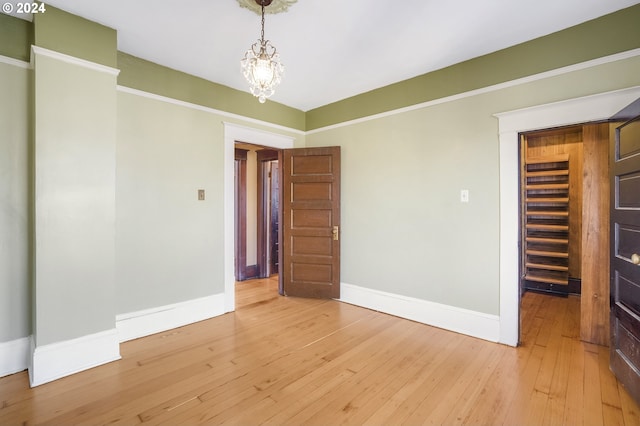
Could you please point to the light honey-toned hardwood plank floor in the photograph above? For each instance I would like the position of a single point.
(280, 360)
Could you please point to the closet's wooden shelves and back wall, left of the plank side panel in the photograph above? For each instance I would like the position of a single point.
(551, 210)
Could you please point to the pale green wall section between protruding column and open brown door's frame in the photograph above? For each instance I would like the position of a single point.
(168, 244)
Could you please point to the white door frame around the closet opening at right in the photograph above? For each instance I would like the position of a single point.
(573, 111)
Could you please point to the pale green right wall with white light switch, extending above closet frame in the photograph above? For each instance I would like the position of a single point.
(404, 230)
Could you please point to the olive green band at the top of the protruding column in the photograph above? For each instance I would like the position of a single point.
(66, 33)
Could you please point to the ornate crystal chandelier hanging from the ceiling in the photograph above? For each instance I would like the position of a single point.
(261, 64)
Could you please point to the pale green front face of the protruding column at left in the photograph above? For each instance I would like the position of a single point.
(74, 205)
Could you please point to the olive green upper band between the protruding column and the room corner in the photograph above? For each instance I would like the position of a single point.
(150, 77)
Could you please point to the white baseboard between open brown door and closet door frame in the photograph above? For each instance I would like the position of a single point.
(471, 323)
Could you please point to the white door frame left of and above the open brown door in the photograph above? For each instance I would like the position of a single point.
(236, 133)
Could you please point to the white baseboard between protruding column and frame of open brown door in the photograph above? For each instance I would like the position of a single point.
(150, 321)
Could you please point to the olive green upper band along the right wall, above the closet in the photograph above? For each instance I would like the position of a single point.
(607, 35)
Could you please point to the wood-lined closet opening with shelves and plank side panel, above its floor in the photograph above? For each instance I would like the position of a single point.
(564, 220)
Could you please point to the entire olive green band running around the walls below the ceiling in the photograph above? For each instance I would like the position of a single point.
(63, 32)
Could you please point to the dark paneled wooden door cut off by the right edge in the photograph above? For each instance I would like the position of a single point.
(625, 256)
